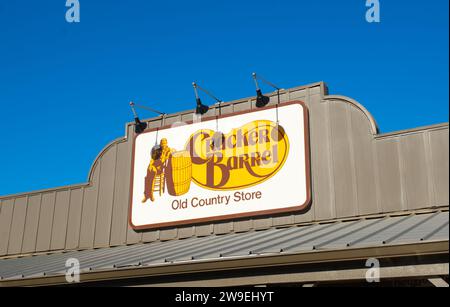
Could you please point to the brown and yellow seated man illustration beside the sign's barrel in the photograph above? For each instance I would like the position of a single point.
(155, 171)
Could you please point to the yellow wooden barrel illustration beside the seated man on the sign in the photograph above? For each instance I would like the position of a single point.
(179, 173)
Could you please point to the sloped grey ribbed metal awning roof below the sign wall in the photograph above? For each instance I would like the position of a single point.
(383, 231)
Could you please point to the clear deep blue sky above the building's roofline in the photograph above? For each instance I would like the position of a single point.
(64, 88)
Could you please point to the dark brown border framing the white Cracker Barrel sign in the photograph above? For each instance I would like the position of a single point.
(236, 215)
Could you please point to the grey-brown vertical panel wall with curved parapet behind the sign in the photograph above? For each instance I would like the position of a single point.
(354, 172)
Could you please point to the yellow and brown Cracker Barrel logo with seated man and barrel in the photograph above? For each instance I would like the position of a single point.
(244, 157)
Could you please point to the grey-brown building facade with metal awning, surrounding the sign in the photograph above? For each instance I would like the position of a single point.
(373, 196)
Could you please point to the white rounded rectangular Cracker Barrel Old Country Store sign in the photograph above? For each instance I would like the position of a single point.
(236, 165)
